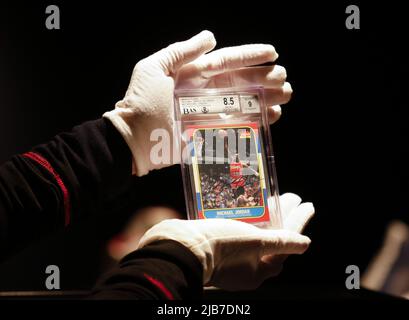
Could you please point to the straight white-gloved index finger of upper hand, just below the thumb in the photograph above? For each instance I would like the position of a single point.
(231, 58)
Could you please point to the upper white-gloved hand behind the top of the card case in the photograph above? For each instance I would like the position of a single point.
(148, 103)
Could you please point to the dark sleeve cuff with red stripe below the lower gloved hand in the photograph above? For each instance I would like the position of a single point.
(162, 270)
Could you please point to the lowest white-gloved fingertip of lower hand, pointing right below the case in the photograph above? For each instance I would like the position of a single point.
(283, 242)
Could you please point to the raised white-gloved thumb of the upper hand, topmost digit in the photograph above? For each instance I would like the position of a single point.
(172, 58)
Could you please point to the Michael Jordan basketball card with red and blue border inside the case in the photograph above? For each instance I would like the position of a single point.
(235, 187)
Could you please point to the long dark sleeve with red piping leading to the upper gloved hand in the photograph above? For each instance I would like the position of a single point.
(57, 183)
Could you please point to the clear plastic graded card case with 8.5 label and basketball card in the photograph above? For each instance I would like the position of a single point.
(226, 157)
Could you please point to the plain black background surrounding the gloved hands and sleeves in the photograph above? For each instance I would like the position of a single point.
(341, 142)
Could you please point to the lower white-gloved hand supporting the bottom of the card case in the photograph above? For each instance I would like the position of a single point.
(236, 255)
